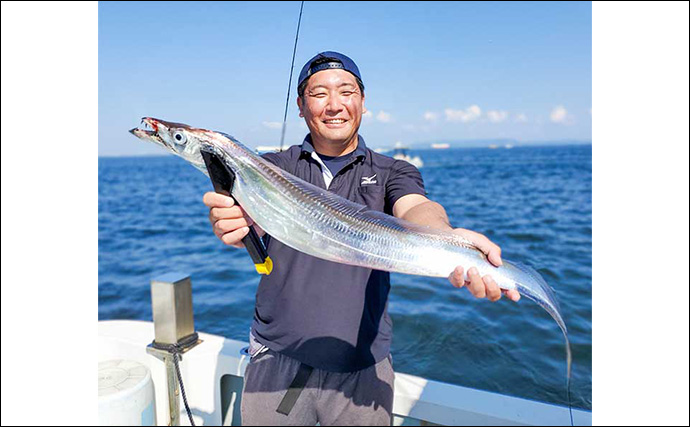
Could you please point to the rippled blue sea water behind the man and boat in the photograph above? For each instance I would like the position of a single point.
(534, 202)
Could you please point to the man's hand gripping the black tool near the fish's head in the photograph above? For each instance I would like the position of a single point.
(230, 222)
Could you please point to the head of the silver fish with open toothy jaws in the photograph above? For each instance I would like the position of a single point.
(178, 138)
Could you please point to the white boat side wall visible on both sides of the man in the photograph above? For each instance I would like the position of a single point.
(213, 376)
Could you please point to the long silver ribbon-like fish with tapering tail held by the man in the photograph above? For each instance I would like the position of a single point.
(322, 224)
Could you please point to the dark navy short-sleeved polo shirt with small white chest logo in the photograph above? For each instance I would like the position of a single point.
(328, 315)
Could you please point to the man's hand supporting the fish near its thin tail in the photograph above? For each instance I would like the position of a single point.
(481, 287)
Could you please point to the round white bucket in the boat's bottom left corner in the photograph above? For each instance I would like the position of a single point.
(125, 394)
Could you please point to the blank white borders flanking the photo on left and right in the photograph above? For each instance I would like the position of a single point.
(50, 213)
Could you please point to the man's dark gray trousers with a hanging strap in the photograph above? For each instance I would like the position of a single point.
(359, 398)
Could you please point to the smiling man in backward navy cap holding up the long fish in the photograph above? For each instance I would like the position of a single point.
(321, 335)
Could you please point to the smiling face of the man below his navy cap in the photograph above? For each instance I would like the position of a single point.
(332, 106)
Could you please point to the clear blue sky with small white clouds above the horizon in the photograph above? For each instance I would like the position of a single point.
(433, 71)
